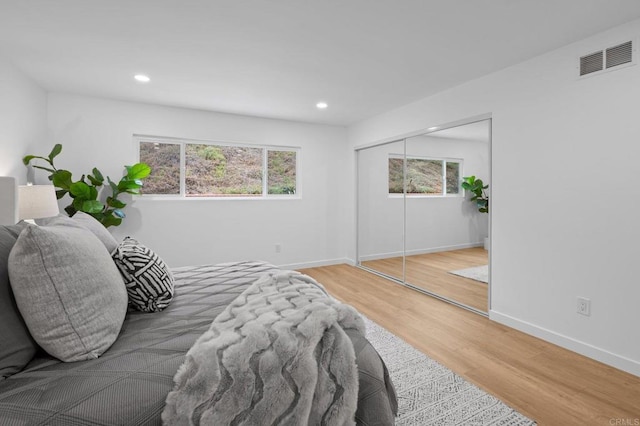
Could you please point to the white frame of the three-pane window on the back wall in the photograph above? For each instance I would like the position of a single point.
(183, 142)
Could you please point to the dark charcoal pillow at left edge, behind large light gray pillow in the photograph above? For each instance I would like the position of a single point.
(17, 347)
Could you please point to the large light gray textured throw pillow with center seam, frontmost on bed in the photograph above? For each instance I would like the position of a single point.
(68, 290)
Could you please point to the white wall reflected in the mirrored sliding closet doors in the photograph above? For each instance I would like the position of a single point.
(432, 223)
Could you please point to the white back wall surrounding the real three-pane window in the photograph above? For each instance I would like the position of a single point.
(99, 132)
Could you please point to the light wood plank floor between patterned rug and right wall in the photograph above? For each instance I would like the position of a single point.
(545, 382)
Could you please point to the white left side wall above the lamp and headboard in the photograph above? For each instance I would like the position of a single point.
(23, 108)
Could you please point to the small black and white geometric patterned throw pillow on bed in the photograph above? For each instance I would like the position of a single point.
(148, 279)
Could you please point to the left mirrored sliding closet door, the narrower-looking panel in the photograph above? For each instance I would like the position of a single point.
(381, 209)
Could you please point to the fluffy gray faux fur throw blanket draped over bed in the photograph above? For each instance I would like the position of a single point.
(277, 355)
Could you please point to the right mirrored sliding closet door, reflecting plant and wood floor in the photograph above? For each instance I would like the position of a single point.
(444, 230)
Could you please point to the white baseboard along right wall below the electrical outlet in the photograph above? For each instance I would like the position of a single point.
(586, 349)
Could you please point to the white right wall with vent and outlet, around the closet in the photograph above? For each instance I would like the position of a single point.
(564, 200)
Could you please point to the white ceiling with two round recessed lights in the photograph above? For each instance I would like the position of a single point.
(277, 58)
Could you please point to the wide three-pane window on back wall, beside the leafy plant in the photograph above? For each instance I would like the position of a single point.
(197, 169)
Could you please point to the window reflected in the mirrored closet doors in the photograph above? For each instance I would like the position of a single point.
(424, 176)
